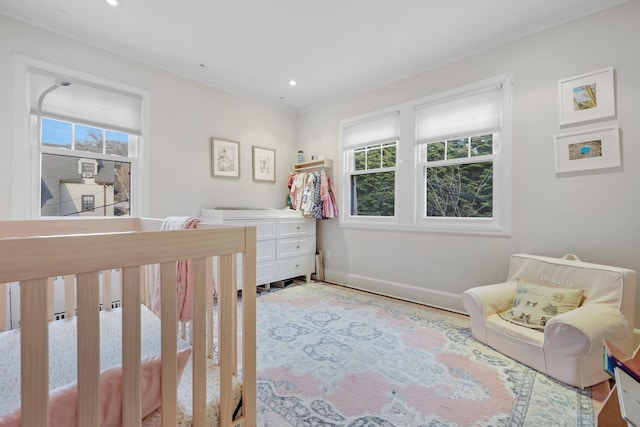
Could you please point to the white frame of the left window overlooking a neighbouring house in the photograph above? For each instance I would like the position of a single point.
(27, 150)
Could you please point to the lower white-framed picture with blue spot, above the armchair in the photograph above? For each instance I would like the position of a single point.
(588, 149)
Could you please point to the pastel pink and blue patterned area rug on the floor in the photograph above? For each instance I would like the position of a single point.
(333, 356)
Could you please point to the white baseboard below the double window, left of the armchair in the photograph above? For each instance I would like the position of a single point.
(411, 293)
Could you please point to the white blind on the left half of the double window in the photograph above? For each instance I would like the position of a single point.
(371, 130)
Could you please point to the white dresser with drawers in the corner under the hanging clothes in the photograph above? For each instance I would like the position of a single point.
(285, 241)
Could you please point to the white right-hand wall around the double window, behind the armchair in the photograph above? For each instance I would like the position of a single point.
(594, 214)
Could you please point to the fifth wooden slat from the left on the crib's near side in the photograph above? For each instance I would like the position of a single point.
(198, 326)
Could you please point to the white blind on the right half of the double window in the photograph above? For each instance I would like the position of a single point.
(467, 115)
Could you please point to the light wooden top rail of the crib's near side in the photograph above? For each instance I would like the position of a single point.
(62, 255)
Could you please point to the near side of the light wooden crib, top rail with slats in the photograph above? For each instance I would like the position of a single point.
(33, 260)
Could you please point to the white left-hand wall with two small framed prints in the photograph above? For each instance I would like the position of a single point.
(184, 116)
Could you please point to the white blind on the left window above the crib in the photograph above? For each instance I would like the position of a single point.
(85, 103)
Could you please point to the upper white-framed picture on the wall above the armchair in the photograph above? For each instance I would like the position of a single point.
(587, 97)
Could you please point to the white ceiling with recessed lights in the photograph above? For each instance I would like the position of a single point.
(332, 48)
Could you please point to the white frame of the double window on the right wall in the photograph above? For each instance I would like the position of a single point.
(410, 190)
